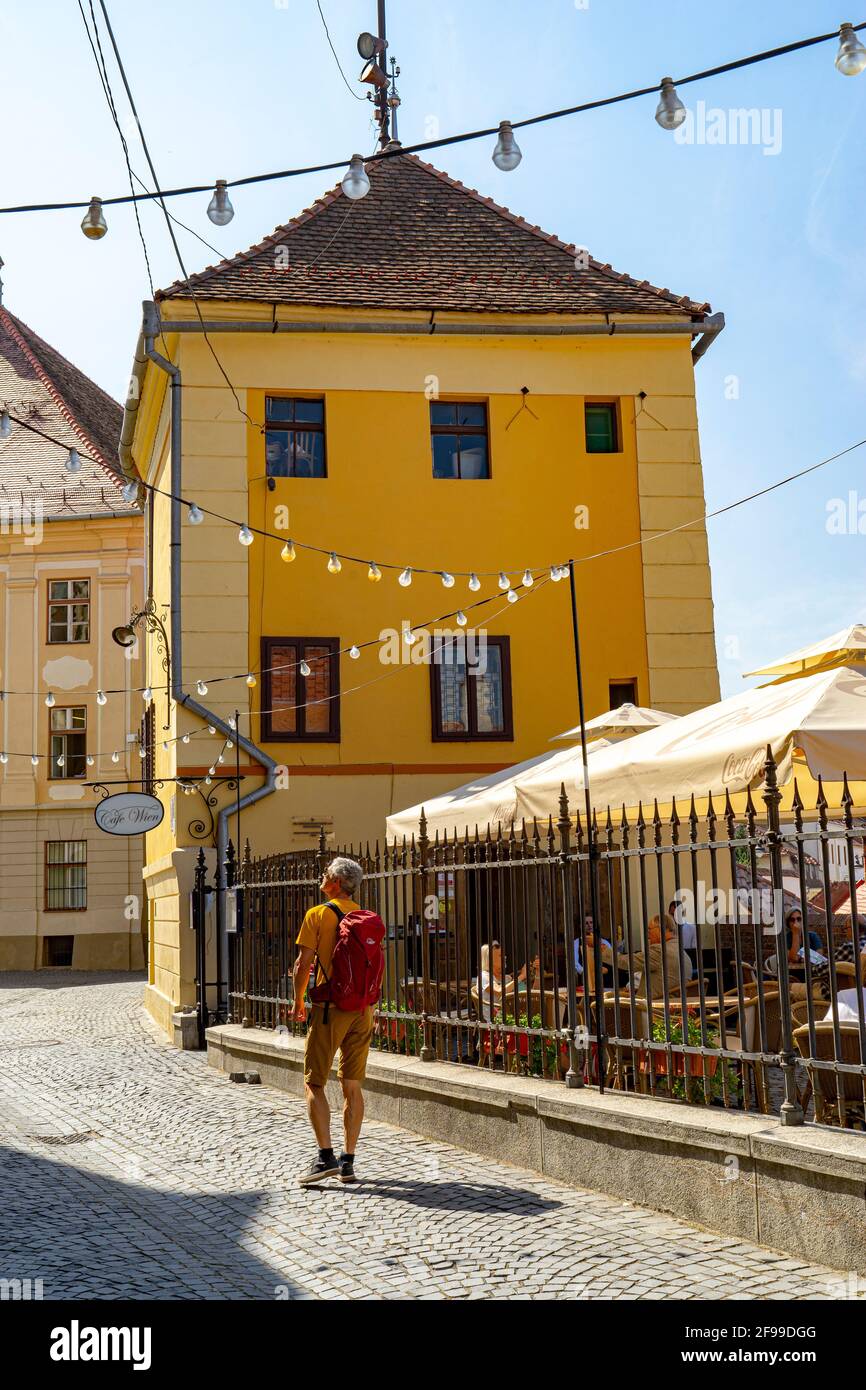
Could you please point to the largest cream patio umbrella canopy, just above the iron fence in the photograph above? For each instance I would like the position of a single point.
(812, 726)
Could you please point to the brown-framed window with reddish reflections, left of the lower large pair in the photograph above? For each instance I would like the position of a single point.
(300, 708)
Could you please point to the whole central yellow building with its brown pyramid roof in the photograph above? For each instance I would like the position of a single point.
(418, 380)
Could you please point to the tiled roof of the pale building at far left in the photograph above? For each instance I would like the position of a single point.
(44, 389)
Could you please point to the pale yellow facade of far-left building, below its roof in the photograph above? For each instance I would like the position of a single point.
(34, 808)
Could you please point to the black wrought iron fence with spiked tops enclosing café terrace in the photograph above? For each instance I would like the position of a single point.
(648, 954)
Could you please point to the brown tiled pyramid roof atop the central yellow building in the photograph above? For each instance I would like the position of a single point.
(422, 241)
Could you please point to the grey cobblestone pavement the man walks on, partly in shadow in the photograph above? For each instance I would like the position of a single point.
(134, 1171)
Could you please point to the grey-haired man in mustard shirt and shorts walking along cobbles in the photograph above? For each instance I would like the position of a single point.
(333, 1029)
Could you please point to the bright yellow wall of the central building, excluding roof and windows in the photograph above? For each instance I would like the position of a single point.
(644, 615)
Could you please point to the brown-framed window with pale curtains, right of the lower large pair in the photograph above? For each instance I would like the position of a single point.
(472, 690)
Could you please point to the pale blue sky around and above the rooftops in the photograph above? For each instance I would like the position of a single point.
(229, 88)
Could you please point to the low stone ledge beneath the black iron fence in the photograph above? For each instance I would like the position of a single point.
(800, 1191)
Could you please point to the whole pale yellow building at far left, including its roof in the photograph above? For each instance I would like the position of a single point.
(72, 569)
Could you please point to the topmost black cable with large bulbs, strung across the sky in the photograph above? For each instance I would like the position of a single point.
(851, 60)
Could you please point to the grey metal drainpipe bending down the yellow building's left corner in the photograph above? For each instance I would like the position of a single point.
(149, 333)
